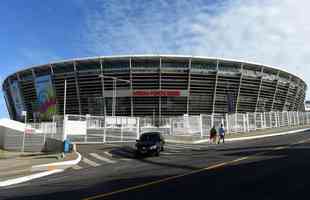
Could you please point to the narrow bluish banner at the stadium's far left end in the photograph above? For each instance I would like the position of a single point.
(17, 99)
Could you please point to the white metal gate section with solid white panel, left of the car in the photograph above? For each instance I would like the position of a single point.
(100, 129)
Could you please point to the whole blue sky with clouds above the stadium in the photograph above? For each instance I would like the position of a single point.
(274, 32)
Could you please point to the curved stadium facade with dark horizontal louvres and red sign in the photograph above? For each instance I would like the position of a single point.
(151, 85)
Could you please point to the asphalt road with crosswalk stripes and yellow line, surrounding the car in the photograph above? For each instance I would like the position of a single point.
(268, 168)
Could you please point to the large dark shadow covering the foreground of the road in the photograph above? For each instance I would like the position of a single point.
(285, 176)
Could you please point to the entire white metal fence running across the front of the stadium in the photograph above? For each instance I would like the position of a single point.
(100, 129)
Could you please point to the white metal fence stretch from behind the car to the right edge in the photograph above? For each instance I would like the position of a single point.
(200, 125)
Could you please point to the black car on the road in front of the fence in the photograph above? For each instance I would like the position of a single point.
(150, 143)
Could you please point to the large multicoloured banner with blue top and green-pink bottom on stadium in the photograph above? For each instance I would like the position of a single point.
(46, 97)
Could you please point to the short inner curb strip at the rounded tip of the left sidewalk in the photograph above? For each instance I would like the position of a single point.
(57, 165)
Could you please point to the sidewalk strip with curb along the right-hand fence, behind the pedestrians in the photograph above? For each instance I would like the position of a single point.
(238, 136)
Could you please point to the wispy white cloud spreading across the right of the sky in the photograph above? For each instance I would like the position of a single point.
(273, 32)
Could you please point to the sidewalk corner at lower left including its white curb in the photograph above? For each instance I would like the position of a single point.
(18, 167)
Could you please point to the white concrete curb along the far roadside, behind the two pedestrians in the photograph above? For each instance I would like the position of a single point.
(241, 138)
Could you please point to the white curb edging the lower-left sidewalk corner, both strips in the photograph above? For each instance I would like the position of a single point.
(48, 169)
